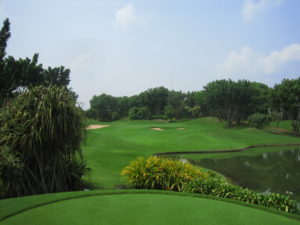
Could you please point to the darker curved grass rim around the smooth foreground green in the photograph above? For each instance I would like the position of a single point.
(75, 195)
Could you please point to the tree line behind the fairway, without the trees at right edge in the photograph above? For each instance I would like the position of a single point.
(226, 99)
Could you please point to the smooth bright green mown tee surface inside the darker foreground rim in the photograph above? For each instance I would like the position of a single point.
(142, 209)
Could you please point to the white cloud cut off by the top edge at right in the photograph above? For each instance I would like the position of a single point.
(252, 7)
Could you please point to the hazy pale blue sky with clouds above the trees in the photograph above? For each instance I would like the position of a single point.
(122, 47)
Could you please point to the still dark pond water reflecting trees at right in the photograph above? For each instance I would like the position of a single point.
(269, 172)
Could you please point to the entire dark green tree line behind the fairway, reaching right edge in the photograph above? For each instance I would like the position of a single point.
(231, 101)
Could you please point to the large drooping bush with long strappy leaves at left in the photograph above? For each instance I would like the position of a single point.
(41, 131)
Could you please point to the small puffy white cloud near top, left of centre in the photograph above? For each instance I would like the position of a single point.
(126, 17)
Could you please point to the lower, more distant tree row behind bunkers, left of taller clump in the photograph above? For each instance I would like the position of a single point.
(153, 103)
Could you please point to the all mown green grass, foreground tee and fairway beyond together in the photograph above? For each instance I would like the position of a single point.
(109, 150)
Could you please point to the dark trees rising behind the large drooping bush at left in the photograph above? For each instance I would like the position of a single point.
(19, 75)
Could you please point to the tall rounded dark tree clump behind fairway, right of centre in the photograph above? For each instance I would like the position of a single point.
(235, 101)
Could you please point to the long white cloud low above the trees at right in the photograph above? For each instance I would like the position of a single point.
(247, 61)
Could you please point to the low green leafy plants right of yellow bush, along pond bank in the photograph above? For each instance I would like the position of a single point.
(220, 188)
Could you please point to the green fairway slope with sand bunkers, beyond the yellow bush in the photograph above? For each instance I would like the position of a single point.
(108, 150)
